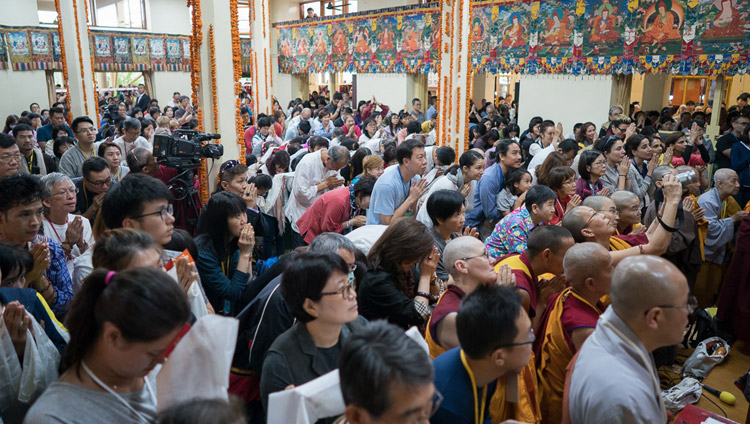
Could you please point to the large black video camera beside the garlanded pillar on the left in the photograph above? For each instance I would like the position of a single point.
(185, 148)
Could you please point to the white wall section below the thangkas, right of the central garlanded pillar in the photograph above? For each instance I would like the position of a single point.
(565, 99)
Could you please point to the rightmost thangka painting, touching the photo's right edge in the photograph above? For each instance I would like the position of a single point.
(723, 27)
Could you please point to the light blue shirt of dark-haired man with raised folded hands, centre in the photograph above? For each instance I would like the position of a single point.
(389, 193)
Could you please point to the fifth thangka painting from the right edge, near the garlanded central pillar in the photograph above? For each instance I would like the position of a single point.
(512, 29)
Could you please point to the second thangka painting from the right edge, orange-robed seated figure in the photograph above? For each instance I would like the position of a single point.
(660, 25)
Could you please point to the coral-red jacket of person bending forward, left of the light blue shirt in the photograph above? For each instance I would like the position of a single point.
(327, 214)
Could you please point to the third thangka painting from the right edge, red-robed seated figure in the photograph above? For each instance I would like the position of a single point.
(604, 27)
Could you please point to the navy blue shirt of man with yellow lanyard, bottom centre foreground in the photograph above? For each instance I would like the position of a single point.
(453, 382)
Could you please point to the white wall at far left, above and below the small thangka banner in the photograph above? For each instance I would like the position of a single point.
(21, 88)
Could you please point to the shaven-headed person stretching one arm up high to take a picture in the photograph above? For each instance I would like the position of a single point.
(587, 224)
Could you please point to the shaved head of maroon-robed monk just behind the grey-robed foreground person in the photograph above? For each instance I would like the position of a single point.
(585, 260)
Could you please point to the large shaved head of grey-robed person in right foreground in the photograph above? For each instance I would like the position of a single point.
(642, 282)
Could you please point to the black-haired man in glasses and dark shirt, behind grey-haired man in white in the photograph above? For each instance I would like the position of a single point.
(92, 187)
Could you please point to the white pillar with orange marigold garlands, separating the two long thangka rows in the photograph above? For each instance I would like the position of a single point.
(455, 76)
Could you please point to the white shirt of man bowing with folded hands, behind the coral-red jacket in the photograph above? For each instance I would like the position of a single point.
(309, 173)
